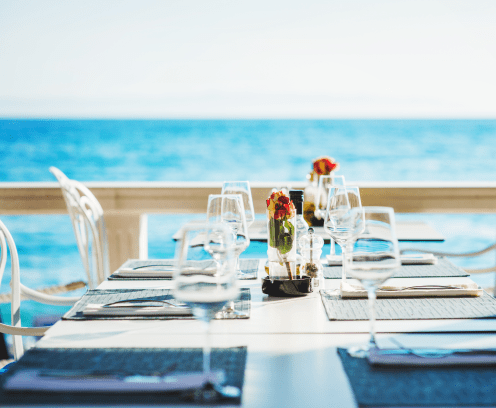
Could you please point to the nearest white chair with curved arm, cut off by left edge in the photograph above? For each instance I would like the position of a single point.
(17, 288)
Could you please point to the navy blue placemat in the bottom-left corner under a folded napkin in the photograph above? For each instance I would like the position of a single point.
(125, 362)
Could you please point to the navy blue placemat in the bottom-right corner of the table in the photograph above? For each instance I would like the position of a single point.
(419, 386)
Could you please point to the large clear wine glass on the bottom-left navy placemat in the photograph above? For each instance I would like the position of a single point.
(205, 284)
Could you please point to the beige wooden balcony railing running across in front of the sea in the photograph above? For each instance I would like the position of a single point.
(126, 204)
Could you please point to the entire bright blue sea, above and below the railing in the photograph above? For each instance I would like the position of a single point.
(217, 150)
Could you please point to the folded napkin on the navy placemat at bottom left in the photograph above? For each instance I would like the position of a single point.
(81, 381)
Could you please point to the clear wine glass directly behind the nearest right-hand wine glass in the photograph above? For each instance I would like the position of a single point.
(340, 223)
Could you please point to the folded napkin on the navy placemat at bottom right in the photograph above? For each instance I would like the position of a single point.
(431, 357)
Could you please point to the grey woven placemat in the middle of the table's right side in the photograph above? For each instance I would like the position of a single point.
(410, 308)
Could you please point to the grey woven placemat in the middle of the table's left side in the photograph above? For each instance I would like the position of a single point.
(105, 296)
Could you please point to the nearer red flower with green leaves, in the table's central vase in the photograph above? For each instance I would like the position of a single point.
(280, 213)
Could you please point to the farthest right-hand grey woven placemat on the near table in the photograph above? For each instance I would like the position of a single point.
(443, 268)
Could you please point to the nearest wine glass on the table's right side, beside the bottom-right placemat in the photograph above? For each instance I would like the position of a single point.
(374, 259)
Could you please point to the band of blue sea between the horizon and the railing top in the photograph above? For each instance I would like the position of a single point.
(255, 150)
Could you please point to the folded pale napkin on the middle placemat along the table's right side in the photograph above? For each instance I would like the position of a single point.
(401, 289)
